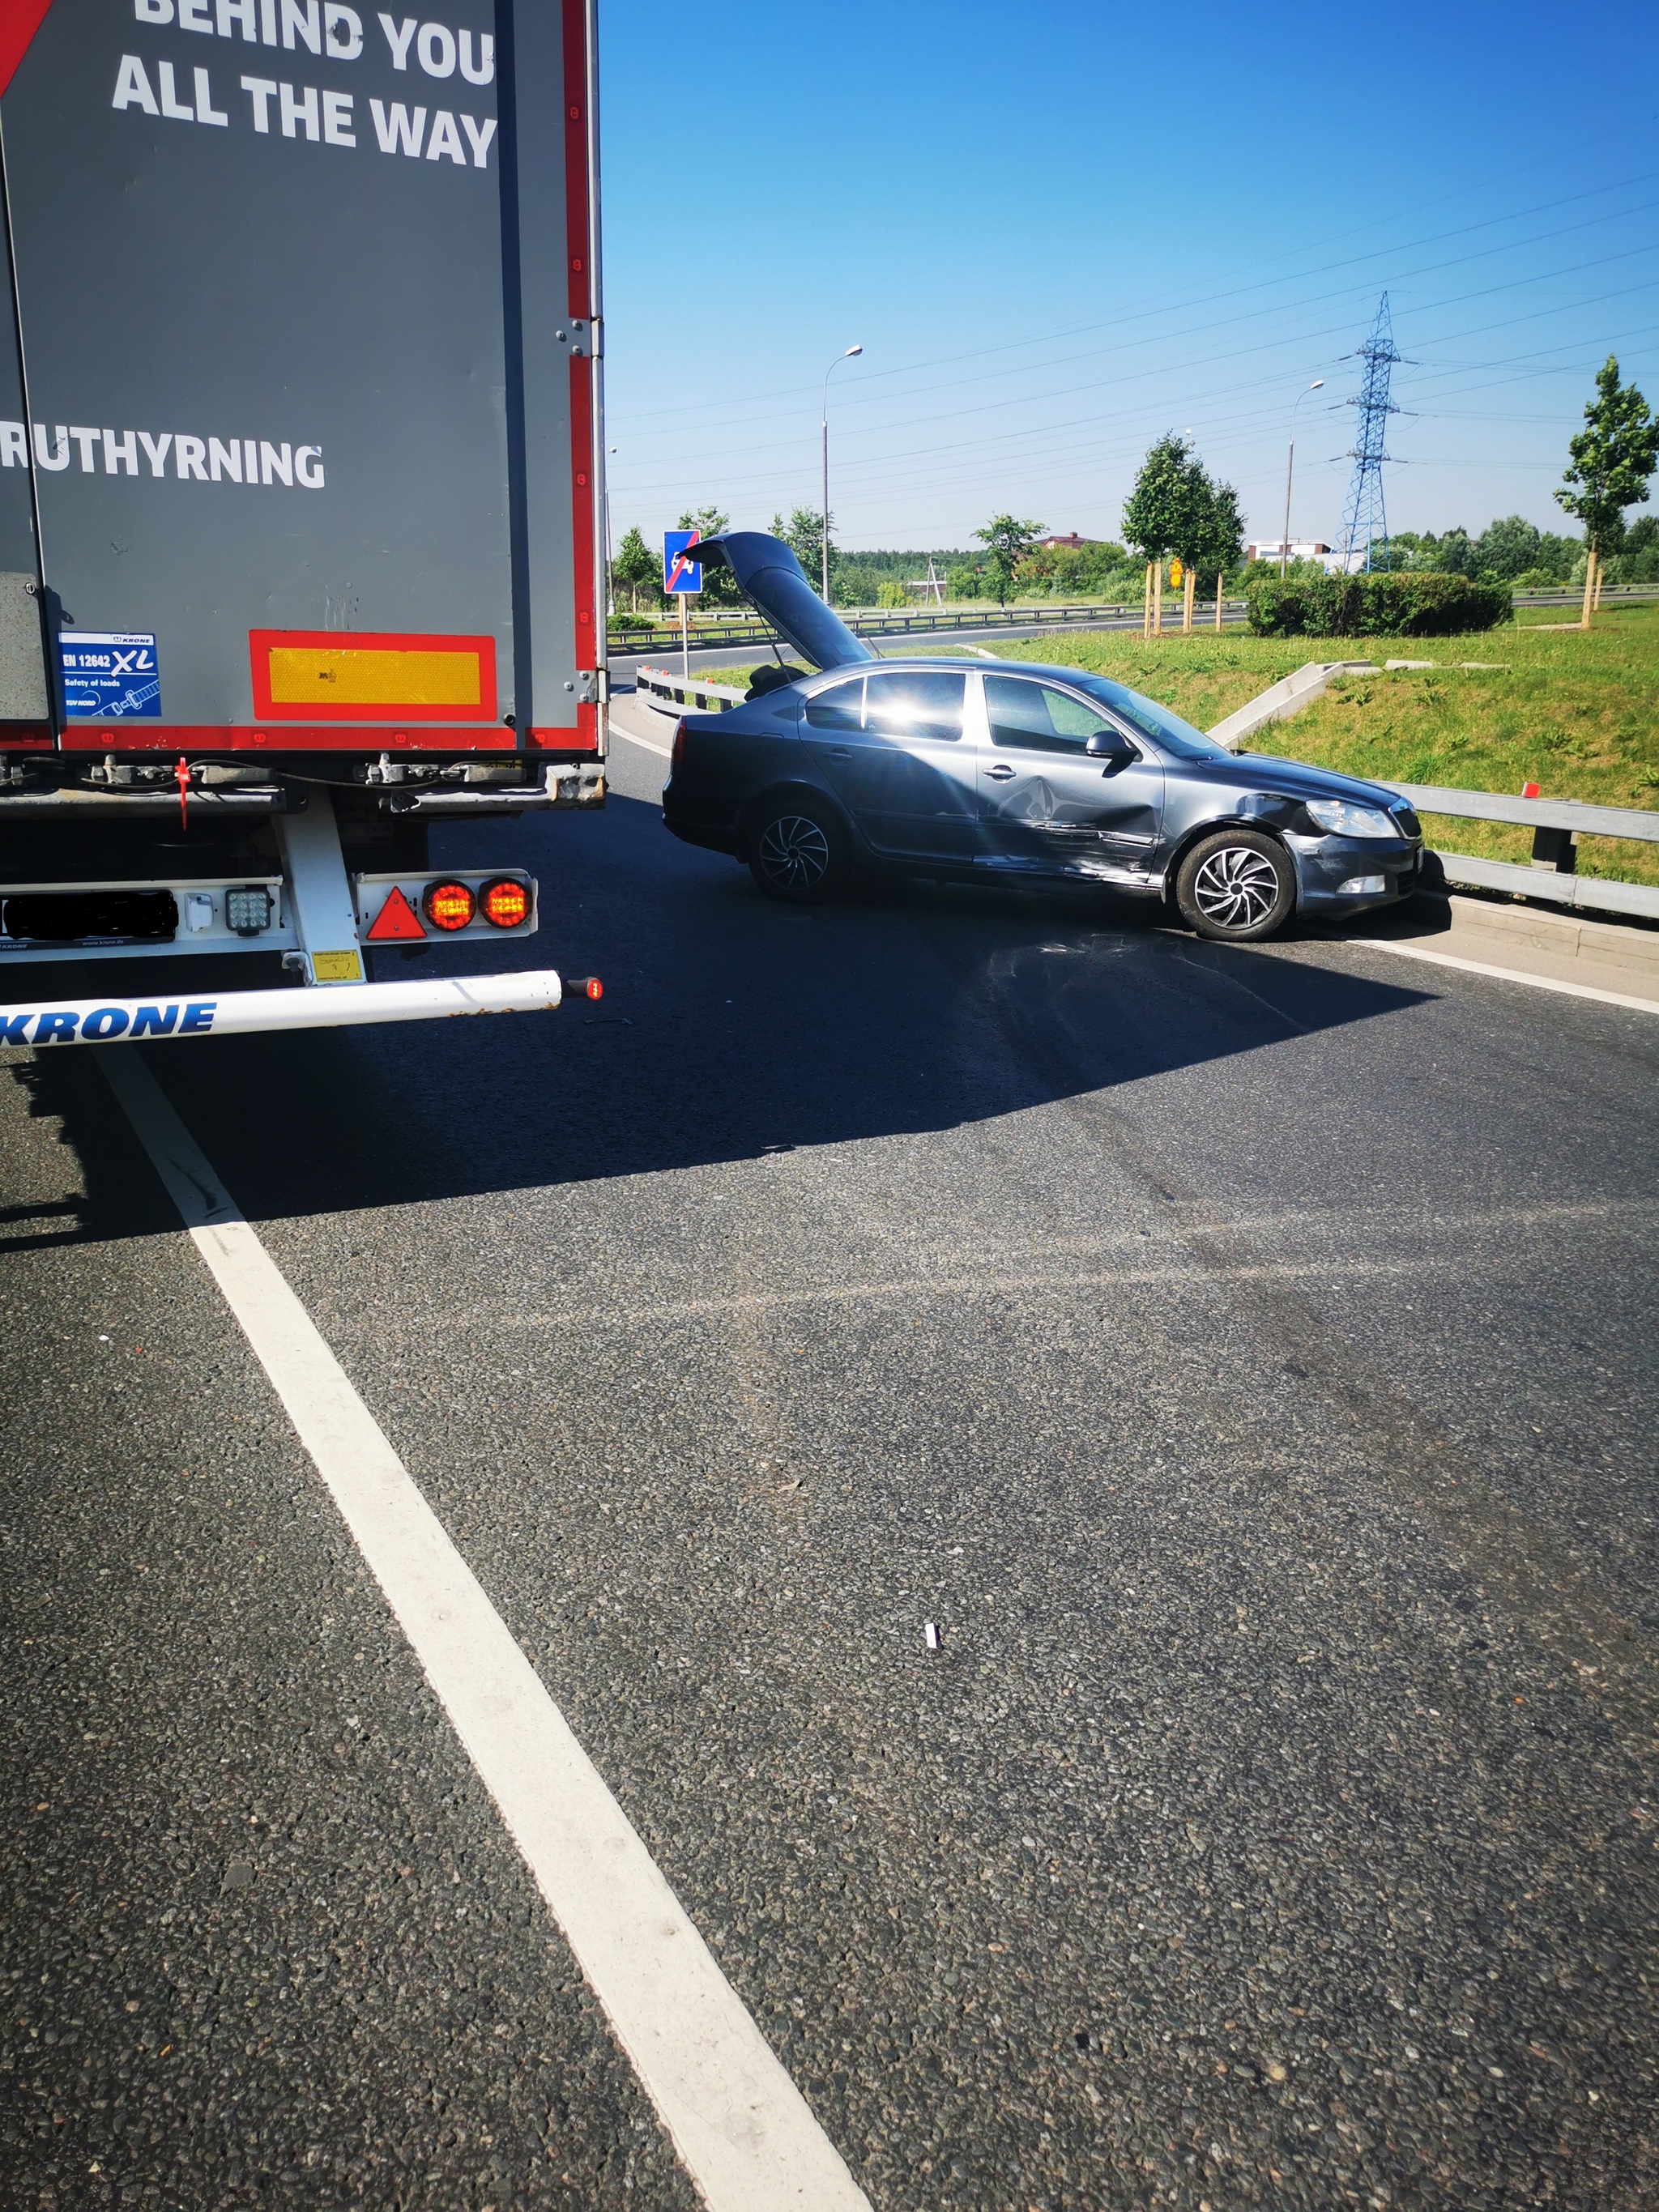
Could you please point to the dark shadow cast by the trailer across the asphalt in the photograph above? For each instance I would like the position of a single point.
(731, 1027)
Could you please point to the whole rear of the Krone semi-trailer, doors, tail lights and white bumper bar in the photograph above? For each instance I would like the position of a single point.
(300, 492)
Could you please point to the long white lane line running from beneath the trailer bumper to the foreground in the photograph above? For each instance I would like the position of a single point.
(738, 2120)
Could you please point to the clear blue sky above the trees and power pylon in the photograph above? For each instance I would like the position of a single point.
(1061, 231)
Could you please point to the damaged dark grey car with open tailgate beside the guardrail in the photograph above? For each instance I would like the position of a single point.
(1010, 771)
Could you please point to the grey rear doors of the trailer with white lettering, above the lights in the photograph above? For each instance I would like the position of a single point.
(280, 375)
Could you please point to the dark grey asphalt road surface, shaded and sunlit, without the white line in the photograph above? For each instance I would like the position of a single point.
(1244, 1357)
